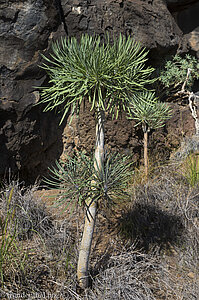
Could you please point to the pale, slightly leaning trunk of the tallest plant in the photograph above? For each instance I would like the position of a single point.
(85, 247)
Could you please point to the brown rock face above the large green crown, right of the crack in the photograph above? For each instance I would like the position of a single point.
(149, 22)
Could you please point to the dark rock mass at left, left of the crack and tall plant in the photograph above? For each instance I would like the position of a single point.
(26, 136)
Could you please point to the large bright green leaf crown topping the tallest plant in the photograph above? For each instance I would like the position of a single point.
(103, 73)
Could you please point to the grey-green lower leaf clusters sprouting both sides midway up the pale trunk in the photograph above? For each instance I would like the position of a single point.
(78, 179)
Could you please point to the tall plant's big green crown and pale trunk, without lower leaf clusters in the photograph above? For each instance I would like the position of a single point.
(106, 75)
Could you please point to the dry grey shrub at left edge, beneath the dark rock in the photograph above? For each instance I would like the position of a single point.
(30, 212)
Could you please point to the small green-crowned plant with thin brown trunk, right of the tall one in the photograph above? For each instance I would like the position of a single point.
(151, 114)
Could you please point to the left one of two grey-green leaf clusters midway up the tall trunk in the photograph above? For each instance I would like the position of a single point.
(72, 176)
